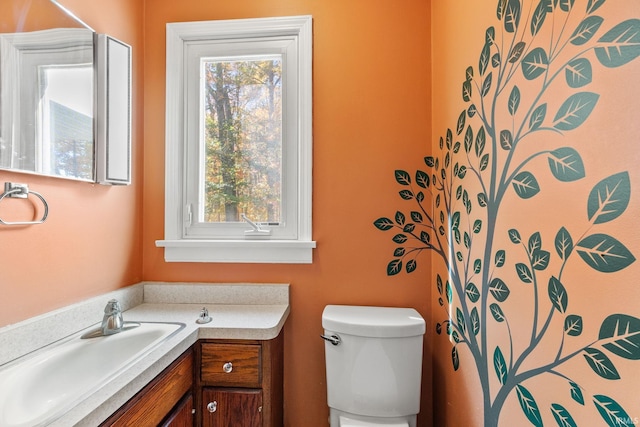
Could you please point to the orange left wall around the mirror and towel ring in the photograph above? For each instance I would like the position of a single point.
(90, 243)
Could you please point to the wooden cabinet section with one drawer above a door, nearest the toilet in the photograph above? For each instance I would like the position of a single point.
(239, 383)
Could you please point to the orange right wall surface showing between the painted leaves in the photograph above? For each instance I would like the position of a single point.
(607, 143)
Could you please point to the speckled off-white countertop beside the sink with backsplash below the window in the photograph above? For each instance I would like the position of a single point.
(255, 318)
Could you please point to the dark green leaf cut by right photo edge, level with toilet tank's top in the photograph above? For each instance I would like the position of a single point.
(624, 333)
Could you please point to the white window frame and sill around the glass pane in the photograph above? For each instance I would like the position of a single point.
(292, 37)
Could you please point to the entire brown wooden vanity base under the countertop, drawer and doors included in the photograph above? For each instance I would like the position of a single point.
(227, 383)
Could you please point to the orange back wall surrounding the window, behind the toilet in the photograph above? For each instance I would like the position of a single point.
(371, 116)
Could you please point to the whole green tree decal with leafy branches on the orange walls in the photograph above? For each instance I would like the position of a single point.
(535, 55)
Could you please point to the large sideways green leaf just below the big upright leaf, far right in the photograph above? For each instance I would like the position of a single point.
(604, 253)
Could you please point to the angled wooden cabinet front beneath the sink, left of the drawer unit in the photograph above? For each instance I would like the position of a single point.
(159, 399)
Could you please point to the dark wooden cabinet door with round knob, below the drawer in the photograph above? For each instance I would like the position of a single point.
(231, 407)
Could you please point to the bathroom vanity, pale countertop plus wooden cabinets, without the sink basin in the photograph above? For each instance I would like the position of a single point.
(228, 371)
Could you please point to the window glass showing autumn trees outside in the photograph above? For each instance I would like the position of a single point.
(241, 167)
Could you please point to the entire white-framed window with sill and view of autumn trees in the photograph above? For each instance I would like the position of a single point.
(238, 141)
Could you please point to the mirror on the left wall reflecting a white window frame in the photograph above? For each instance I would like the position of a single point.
(46, 91)
